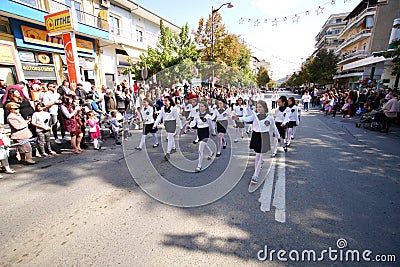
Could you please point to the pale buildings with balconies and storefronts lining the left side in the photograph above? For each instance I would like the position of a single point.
(107, 34)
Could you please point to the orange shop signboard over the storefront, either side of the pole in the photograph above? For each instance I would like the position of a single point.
(37, 36)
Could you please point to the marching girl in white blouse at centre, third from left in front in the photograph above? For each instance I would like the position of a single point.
(203, 122)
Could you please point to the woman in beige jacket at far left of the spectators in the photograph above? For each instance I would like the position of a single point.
(20, 132)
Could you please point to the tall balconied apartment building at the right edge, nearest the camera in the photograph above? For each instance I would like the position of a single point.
(368, 30)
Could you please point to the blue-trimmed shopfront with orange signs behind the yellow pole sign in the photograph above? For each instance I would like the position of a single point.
(42, 56)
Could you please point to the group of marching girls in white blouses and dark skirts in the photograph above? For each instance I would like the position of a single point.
(213, 118)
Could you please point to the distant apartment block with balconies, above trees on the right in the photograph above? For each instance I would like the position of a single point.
(328, 36)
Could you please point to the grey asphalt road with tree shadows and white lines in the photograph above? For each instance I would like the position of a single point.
(336, 182)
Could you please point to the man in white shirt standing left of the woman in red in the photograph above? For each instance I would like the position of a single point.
(51, 99)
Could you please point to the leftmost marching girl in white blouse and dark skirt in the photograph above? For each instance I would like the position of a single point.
(147, 113)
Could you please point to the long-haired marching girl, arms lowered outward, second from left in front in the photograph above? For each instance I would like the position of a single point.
(170, 116)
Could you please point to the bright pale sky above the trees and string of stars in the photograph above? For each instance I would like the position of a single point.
(285, 43)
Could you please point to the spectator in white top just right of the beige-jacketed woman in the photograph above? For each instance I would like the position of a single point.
(41, 121)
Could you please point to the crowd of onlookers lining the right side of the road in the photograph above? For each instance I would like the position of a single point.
(351, 103)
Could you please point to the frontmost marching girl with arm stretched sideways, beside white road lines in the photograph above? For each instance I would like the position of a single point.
(262, 123)
